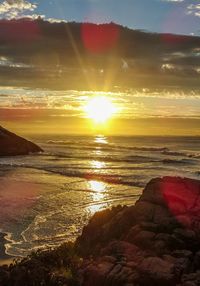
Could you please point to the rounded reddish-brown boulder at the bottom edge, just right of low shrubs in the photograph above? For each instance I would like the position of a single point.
(120, 271)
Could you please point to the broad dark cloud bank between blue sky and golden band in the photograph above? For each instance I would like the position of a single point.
(59, 55)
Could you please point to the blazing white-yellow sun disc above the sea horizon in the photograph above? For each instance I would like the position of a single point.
(99, 109)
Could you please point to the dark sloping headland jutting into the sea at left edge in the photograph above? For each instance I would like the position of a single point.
(12, 145)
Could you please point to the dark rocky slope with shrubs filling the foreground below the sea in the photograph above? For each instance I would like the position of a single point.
(154, 242)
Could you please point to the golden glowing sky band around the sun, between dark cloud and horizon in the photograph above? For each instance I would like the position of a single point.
(138, 112)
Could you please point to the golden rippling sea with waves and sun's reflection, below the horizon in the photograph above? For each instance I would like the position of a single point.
(47, 198)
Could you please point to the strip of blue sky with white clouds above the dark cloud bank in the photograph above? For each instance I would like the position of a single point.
(175, 16)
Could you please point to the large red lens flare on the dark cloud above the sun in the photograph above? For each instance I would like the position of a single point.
(100, 38)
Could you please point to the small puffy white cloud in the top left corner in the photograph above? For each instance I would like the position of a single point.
(14, 8)
